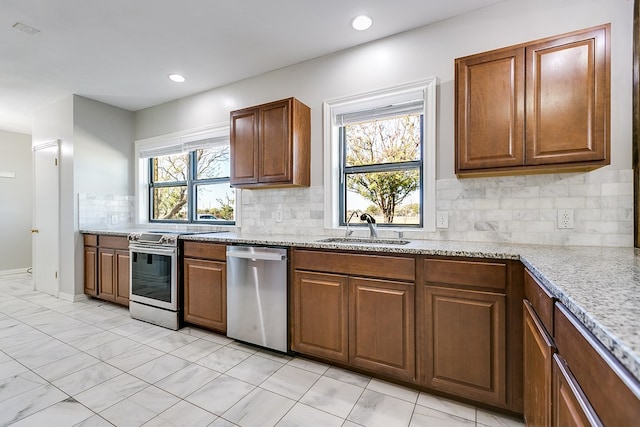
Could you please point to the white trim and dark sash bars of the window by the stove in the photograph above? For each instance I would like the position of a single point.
(174, 143)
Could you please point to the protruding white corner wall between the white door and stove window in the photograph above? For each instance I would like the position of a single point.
(96, 157)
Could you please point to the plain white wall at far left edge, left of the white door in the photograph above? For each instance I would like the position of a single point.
(15, 201)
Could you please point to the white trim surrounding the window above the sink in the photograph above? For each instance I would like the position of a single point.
(353, 102)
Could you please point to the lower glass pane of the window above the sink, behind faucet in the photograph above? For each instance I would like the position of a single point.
(390, 197)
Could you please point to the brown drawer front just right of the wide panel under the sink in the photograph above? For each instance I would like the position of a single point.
(466, 273)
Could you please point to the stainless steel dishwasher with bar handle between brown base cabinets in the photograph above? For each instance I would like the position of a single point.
(257, 296)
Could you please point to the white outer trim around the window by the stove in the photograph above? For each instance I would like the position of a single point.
(183, 138)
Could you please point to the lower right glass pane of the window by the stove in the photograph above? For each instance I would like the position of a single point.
(215, 202)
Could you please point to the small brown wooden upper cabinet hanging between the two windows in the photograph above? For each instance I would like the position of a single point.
(270, 145)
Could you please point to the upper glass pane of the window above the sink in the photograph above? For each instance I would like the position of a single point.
(390, 140)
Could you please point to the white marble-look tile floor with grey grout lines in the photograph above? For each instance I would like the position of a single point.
(317, 402)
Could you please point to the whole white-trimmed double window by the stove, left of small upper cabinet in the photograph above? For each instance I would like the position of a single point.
(185, 179)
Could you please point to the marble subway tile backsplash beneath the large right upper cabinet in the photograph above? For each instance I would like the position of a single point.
(524, 209)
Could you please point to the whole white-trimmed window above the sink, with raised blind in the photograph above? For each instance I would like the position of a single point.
(381, 148)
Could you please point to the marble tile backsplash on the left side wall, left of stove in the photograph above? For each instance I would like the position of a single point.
(105, 211)
